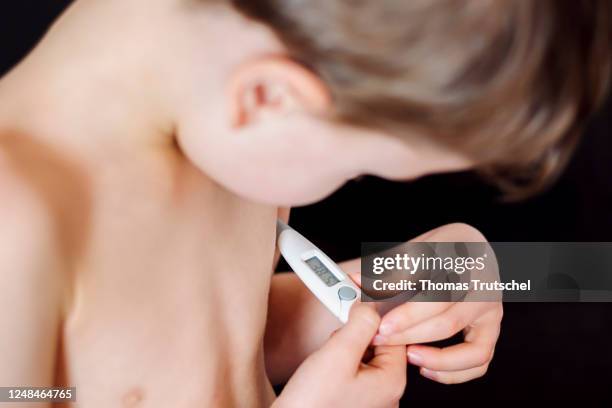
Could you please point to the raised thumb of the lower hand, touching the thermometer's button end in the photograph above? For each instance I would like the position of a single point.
(350, 342)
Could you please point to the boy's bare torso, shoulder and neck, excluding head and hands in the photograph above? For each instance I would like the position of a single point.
(116, 279)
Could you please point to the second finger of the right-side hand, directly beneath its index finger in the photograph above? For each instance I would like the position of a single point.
(441, 326)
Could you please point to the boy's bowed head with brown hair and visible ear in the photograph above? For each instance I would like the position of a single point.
(283, 101)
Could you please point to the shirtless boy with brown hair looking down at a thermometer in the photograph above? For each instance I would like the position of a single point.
(147, 145)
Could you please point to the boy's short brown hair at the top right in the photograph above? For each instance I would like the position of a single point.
(507, 82)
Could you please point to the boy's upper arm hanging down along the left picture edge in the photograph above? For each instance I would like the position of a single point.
(29, 291)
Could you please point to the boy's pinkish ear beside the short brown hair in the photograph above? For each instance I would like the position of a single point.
(271, 86)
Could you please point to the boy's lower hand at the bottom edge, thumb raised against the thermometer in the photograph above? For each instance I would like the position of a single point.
(335, 376)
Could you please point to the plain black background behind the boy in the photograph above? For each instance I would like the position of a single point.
(546, 351)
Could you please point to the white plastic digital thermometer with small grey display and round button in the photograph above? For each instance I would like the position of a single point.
(318, 272)
